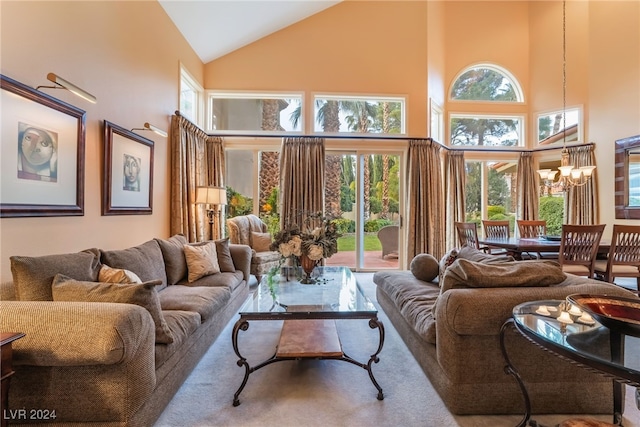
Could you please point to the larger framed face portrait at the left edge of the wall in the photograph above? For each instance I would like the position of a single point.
(42, 160)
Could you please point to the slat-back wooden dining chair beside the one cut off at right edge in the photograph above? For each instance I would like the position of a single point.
(579, 247)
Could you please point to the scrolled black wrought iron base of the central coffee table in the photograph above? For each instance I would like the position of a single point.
(243, 325)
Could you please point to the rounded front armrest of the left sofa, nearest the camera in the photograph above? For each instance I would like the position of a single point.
(78, 333)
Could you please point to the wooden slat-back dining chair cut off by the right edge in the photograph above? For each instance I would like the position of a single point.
(624, 255)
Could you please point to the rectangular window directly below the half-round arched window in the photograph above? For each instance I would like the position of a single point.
(487, 131)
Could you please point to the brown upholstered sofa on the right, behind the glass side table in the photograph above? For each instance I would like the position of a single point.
(453, 332)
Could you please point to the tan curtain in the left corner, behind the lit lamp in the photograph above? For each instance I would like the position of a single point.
(197, 159)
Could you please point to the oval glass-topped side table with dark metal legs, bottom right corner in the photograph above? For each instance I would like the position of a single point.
(577, 338)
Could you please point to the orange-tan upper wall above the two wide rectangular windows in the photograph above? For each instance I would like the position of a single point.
(339, 50)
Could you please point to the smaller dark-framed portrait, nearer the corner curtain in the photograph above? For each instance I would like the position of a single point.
(127, 172)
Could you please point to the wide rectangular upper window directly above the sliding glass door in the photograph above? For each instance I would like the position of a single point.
(351, 114)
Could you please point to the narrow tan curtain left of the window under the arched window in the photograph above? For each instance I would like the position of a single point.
(455, 182)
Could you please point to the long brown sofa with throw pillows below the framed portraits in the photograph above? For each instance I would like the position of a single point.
(102, 362)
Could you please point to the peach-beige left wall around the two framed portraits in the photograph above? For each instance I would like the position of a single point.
(127, 54)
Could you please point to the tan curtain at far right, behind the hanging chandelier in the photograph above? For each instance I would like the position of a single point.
(580, 203)
